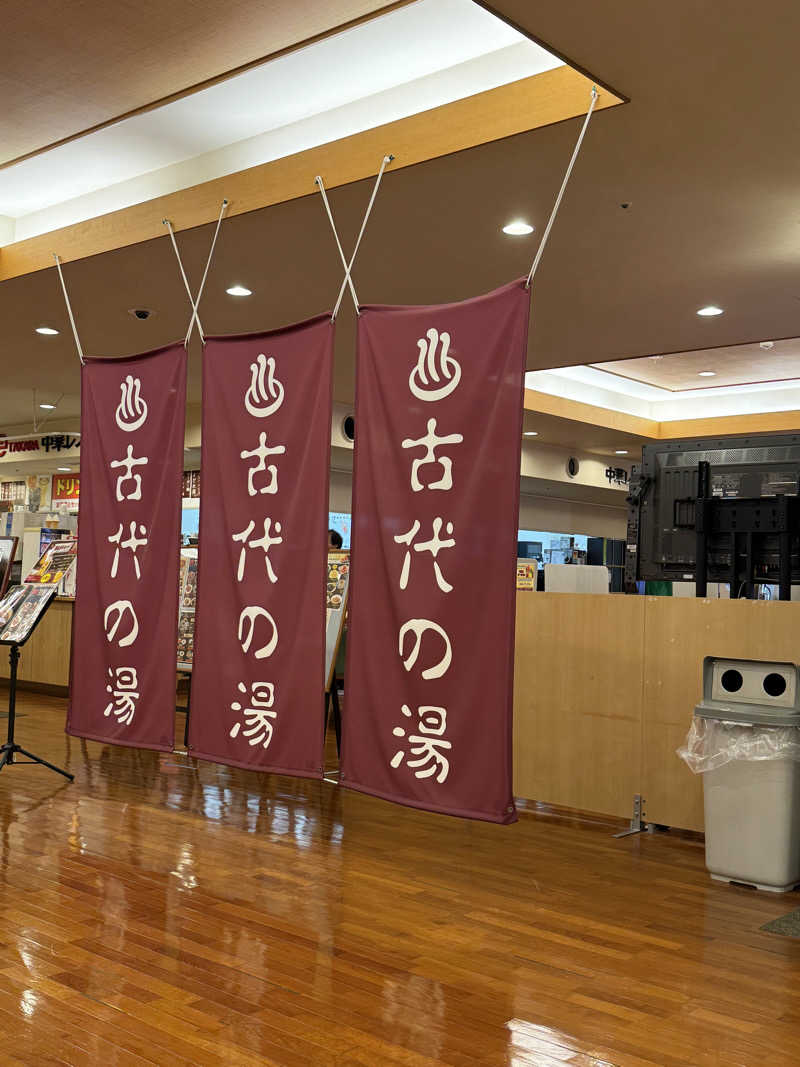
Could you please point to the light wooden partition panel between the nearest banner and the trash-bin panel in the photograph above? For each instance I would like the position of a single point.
(579, 690)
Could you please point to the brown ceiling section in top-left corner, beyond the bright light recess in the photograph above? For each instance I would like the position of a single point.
(71, 69)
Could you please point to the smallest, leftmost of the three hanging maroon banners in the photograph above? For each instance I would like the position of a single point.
(125, 625)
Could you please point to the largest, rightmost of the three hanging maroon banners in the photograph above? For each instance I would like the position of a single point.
(429, 676)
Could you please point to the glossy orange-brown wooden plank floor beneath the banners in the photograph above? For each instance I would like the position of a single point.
(163, 912)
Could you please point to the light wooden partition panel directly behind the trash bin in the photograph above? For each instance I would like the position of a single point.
(679, 634)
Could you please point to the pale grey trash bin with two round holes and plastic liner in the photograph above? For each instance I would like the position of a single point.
(745, 741)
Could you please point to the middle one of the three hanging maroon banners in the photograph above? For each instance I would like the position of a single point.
(260, 638)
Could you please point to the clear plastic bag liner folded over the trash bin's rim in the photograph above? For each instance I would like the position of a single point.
(713, 743)
